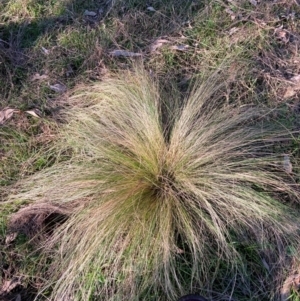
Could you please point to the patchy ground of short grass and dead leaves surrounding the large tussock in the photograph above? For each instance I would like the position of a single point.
(48, 49)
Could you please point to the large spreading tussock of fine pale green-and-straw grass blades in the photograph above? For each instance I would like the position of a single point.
(163, 204)
